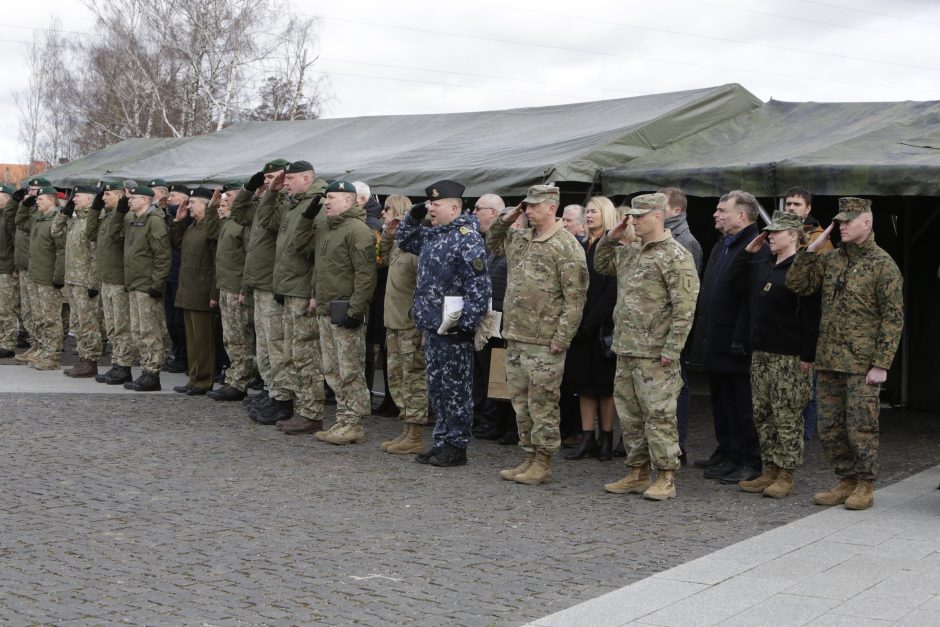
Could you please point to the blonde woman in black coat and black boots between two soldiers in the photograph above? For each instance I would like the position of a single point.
(589, 368)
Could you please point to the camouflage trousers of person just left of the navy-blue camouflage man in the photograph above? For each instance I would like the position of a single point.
(407, 374)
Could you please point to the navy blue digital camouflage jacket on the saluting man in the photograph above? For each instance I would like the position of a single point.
(451, 262)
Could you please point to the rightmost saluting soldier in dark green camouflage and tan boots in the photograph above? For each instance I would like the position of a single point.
(862, 319)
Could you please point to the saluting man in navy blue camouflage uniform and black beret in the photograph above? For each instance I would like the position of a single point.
(451, 262)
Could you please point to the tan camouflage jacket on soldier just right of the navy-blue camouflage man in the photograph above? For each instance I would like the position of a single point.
(547, 283)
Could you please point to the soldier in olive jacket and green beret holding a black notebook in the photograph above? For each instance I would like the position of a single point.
(345, 271)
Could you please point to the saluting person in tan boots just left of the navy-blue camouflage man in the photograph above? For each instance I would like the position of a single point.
(407, 380)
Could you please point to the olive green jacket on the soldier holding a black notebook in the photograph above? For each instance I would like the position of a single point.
(345, 261)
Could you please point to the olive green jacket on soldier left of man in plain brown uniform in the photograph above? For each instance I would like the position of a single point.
(146, 251)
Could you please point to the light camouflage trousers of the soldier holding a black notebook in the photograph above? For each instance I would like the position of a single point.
(344, 356)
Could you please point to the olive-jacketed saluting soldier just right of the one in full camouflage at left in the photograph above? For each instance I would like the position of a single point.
(105, 226)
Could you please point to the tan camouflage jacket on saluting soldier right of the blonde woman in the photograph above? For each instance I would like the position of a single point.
(657, 286)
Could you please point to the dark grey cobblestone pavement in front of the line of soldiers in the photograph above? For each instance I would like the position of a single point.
(183, 511)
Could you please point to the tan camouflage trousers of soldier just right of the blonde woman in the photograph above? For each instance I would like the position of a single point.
(645, 394)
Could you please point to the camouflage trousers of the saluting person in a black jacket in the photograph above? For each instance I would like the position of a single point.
(780, 392)
